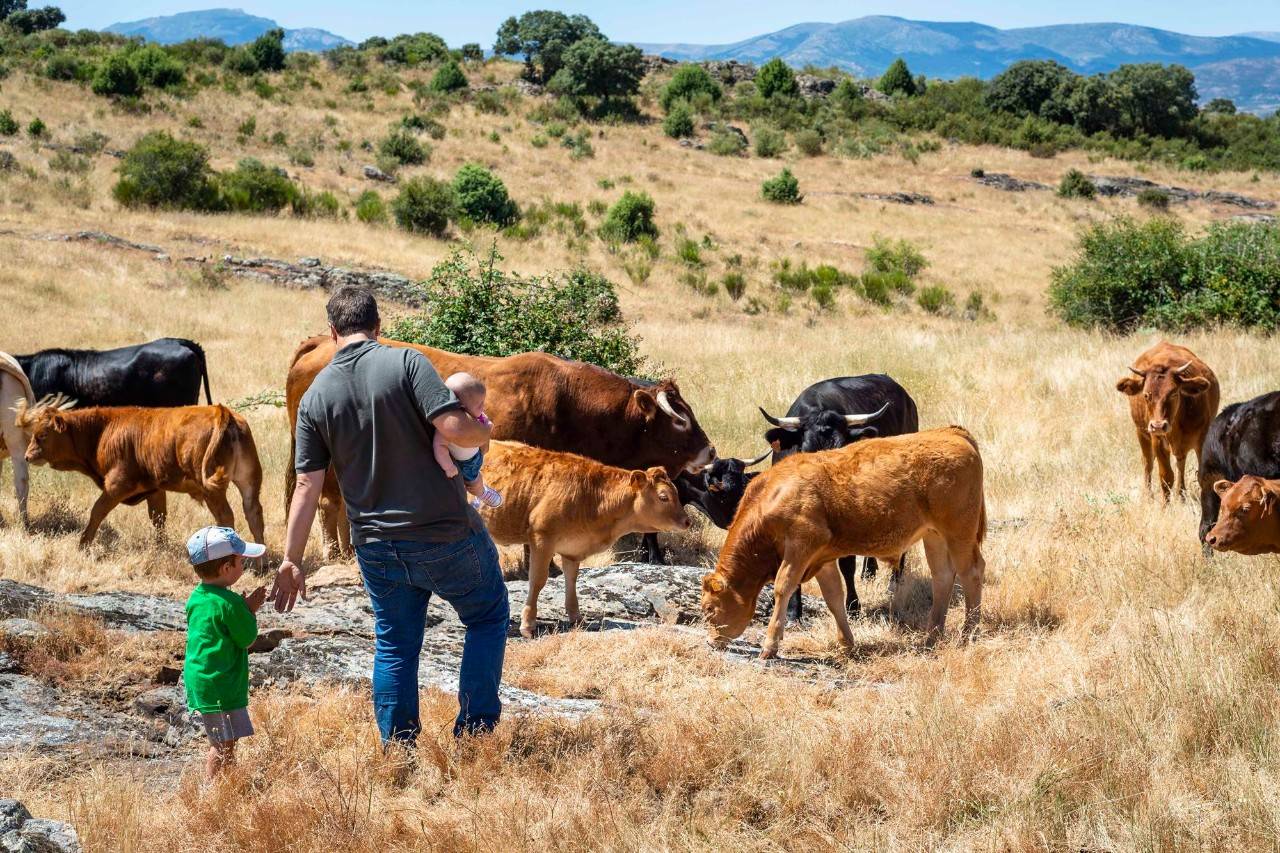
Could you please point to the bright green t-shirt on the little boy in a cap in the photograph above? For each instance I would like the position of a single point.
(221, 628)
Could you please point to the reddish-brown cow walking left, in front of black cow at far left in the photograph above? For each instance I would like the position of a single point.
(138, 455)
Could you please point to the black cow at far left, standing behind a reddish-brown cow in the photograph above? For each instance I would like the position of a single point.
(162, 373)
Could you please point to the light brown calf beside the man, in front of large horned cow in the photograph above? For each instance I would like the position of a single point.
(573, 507)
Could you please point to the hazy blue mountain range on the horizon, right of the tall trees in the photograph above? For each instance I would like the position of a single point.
(1245, 69)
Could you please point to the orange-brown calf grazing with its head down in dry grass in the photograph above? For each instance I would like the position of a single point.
(876, 498)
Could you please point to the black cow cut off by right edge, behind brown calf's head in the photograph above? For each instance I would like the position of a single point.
(1245, 439)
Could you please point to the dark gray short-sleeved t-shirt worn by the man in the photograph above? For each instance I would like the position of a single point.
(369, 413)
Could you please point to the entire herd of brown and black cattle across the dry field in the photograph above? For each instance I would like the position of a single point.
(586, 457)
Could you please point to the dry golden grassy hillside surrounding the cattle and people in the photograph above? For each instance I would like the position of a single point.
(1122, 694)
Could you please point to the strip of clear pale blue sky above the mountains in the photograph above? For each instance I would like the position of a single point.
(703, 22)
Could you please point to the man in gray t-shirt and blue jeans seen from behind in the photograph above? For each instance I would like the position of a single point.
(373, 414)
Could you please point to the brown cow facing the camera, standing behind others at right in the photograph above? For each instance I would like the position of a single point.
(1173, 399)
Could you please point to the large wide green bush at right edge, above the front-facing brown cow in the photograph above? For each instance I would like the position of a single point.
(1128, 275)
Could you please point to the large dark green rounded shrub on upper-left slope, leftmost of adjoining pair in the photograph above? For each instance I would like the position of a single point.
(163, 172)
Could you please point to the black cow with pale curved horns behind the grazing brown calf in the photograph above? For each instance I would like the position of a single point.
(835, 413)
